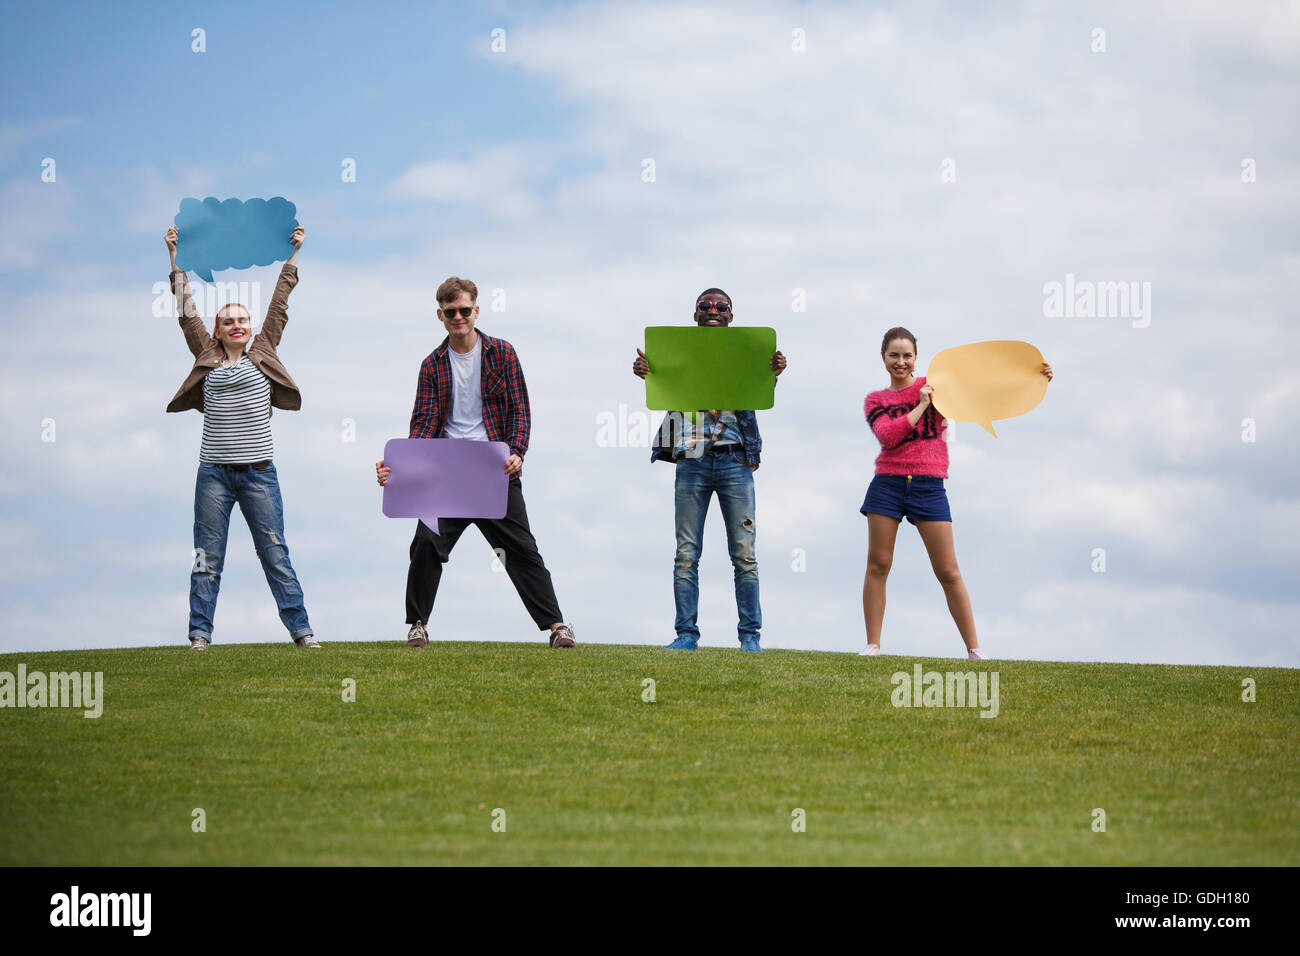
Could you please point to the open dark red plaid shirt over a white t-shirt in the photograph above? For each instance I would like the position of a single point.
(505, 395)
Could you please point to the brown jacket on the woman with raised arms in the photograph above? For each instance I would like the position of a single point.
(209, 353)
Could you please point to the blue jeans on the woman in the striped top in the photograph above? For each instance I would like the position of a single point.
(216, 491)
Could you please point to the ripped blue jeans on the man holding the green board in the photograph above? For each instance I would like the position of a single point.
(699, 479)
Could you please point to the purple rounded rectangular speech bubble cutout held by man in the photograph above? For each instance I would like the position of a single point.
(445, 478)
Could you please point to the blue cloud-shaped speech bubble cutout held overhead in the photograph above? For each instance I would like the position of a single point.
(233, 235)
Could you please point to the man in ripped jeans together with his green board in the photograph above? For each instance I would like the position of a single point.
(717, 451)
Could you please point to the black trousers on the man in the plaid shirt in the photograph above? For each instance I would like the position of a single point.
(512, 535)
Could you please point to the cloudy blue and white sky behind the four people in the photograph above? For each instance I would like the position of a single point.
(930, 166)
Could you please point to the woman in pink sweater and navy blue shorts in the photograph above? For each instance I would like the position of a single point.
(909, 483)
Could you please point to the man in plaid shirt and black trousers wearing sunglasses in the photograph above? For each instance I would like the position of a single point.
(471, 387)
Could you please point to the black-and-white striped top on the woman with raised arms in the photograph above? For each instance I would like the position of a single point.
(236, 416)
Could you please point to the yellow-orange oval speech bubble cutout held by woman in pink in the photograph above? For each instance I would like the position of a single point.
(986, 382)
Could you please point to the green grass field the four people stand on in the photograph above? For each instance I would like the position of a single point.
(587, 773)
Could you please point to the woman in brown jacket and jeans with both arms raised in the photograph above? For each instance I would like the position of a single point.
(236, 384)
